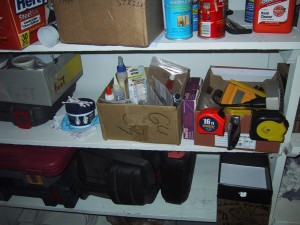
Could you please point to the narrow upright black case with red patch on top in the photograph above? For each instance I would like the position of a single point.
(177, 175)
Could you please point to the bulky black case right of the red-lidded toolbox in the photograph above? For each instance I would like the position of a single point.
(128, 177)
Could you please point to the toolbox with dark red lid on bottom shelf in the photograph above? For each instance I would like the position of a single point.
(39, 171)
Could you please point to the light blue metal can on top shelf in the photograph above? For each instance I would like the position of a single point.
(178, 19)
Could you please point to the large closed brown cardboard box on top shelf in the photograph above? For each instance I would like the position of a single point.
(107, 22)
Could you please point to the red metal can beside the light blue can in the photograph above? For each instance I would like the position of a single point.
(212, 16)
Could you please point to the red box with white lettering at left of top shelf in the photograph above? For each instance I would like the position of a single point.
(19, 23)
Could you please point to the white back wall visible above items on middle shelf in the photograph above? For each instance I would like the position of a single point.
(100, 68)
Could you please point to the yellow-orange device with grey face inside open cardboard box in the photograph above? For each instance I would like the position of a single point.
(237, 92)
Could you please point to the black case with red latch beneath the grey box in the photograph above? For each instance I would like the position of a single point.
(27, 115)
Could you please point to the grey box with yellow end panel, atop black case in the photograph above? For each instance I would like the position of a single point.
(42, 86)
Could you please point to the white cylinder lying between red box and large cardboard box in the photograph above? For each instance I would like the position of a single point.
(49, 35)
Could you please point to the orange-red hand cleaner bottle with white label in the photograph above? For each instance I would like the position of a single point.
(273, 16)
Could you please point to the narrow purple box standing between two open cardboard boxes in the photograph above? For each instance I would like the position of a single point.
(190, 98)
